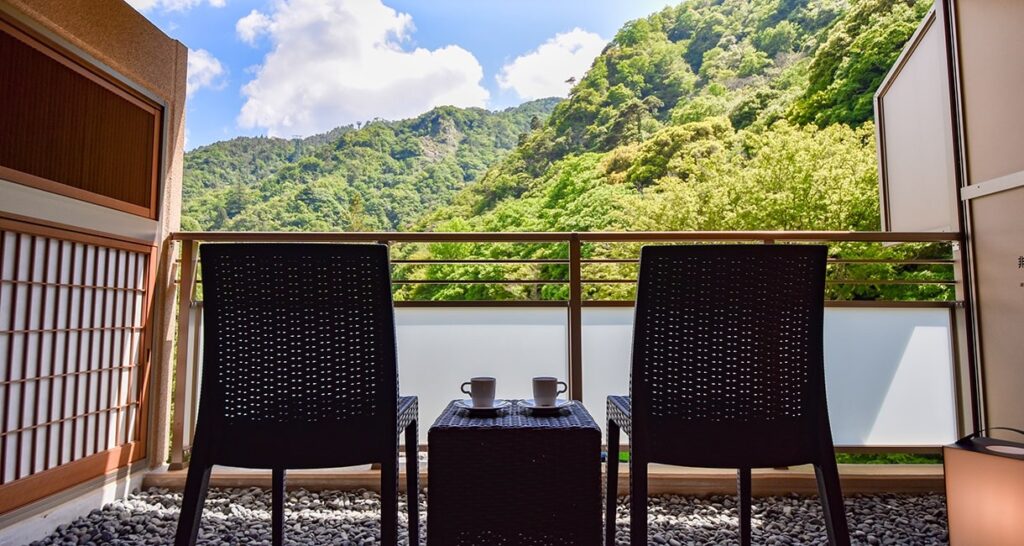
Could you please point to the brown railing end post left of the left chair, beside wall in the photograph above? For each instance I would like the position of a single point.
(186, 291)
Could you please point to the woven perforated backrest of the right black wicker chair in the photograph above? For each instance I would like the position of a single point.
(730, 335)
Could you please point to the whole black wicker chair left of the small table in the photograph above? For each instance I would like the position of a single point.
(301, 372)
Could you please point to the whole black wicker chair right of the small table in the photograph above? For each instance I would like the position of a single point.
(728, 372)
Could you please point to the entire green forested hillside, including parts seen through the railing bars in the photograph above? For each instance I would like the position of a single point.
(711, 115)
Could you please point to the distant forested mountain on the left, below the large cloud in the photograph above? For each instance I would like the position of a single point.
(380, 177)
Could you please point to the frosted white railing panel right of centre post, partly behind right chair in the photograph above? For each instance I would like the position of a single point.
(888, 372)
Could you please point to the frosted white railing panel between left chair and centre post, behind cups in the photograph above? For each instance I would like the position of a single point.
(442, 348)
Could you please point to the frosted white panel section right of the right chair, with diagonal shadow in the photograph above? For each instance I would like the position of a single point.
(889, 375)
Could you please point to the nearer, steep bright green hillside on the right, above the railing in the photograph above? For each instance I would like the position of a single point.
(711, 115)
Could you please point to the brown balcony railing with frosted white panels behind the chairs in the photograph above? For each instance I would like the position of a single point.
(521, 305)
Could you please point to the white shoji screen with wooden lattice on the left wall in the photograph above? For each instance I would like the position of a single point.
(73, 329)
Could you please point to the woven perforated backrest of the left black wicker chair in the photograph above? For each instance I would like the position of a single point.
(297, 334)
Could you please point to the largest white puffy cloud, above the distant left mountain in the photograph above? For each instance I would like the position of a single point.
(337, 62)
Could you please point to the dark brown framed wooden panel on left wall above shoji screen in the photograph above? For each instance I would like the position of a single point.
(69, 130)
